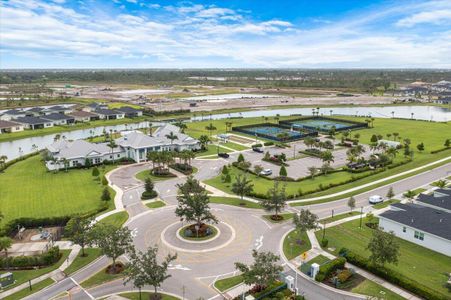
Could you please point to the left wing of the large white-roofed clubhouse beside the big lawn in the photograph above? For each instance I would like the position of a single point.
(77, 153)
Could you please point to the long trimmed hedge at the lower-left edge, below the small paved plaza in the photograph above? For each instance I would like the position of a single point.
(29, 262)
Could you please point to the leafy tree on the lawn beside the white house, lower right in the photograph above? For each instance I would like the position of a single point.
(383, 247)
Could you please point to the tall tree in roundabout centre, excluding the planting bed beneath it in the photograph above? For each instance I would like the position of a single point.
(194, 203)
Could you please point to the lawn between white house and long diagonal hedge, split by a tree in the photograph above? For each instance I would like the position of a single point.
(415, 262)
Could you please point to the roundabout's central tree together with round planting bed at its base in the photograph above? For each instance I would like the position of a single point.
(194, 206)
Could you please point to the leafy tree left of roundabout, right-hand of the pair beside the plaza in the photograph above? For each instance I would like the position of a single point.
(113, 241)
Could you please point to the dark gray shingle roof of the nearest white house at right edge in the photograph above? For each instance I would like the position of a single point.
(423, 218)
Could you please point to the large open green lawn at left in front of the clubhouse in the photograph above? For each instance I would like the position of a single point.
(28, 190)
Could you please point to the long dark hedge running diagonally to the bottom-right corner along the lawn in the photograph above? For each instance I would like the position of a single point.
(392, 276)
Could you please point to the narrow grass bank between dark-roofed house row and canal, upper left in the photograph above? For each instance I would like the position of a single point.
(59, 129)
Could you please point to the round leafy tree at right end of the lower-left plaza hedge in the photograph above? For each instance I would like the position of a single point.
(78, 229)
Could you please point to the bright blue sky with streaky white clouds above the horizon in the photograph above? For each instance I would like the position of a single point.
(225, 34)
